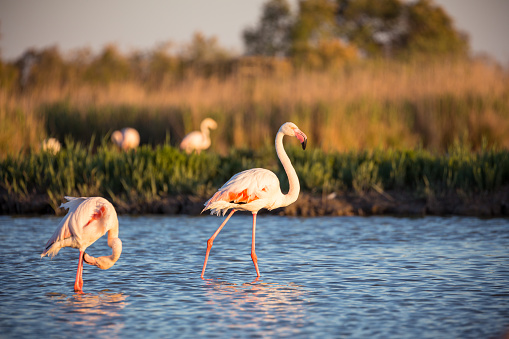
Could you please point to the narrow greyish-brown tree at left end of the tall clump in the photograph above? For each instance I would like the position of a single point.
(272, 35)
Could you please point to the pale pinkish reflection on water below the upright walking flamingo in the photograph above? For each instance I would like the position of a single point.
(275, 308)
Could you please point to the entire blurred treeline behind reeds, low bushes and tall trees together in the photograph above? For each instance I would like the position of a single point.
(322, 34)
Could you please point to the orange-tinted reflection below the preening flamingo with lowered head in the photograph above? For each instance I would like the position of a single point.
(99, 311)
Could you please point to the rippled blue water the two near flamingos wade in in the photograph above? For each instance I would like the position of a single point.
(330, 277)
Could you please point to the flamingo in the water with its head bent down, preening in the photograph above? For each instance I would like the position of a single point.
(87, 220)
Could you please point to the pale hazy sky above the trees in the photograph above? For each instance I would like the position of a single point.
(143, 25)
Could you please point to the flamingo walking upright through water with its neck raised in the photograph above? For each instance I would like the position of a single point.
(256, 188)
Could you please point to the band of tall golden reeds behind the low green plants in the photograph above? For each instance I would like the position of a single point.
(362, 106)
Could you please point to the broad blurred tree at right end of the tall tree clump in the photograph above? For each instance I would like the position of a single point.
(399, 28)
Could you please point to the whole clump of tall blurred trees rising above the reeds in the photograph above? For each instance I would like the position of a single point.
(391, 28)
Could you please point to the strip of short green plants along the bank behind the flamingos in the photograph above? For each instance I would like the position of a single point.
(151, 174)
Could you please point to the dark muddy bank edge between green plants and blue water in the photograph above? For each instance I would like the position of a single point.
(399, 203)
